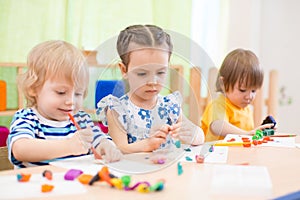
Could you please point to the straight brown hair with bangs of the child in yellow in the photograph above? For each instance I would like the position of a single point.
(242, 67)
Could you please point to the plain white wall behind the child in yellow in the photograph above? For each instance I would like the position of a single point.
(271, 28)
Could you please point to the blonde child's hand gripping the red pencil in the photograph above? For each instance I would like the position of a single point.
(82, 140)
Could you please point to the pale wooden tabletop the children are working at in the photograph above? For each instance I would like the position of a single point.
(283, 165)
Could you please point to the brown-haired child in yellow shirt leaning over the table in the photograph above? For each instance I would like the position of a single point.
(239, 77)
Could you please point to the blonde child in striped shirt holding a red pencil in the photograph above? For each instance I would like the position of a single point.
(55, 86)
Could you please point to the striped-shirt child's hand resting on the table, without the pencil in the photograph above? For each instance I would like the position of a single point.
(109, 149)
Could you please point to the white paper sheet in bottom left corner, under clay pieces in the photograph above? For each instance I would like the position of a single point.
(10, 188)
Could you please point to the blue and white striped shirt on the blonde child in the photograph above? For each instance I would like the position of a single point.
(28, 123)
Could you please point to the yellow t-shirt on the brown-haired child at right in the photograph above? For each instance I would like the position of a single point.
(222, 109)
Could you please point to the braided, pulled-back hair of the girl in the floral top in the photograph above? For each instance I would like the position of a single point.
(142, 36)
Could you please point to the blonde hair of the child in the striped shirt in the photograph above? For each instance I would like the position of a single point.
(53, 59)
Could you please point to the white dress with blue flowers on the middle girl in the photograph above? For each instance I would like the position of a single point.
(137, 121)
